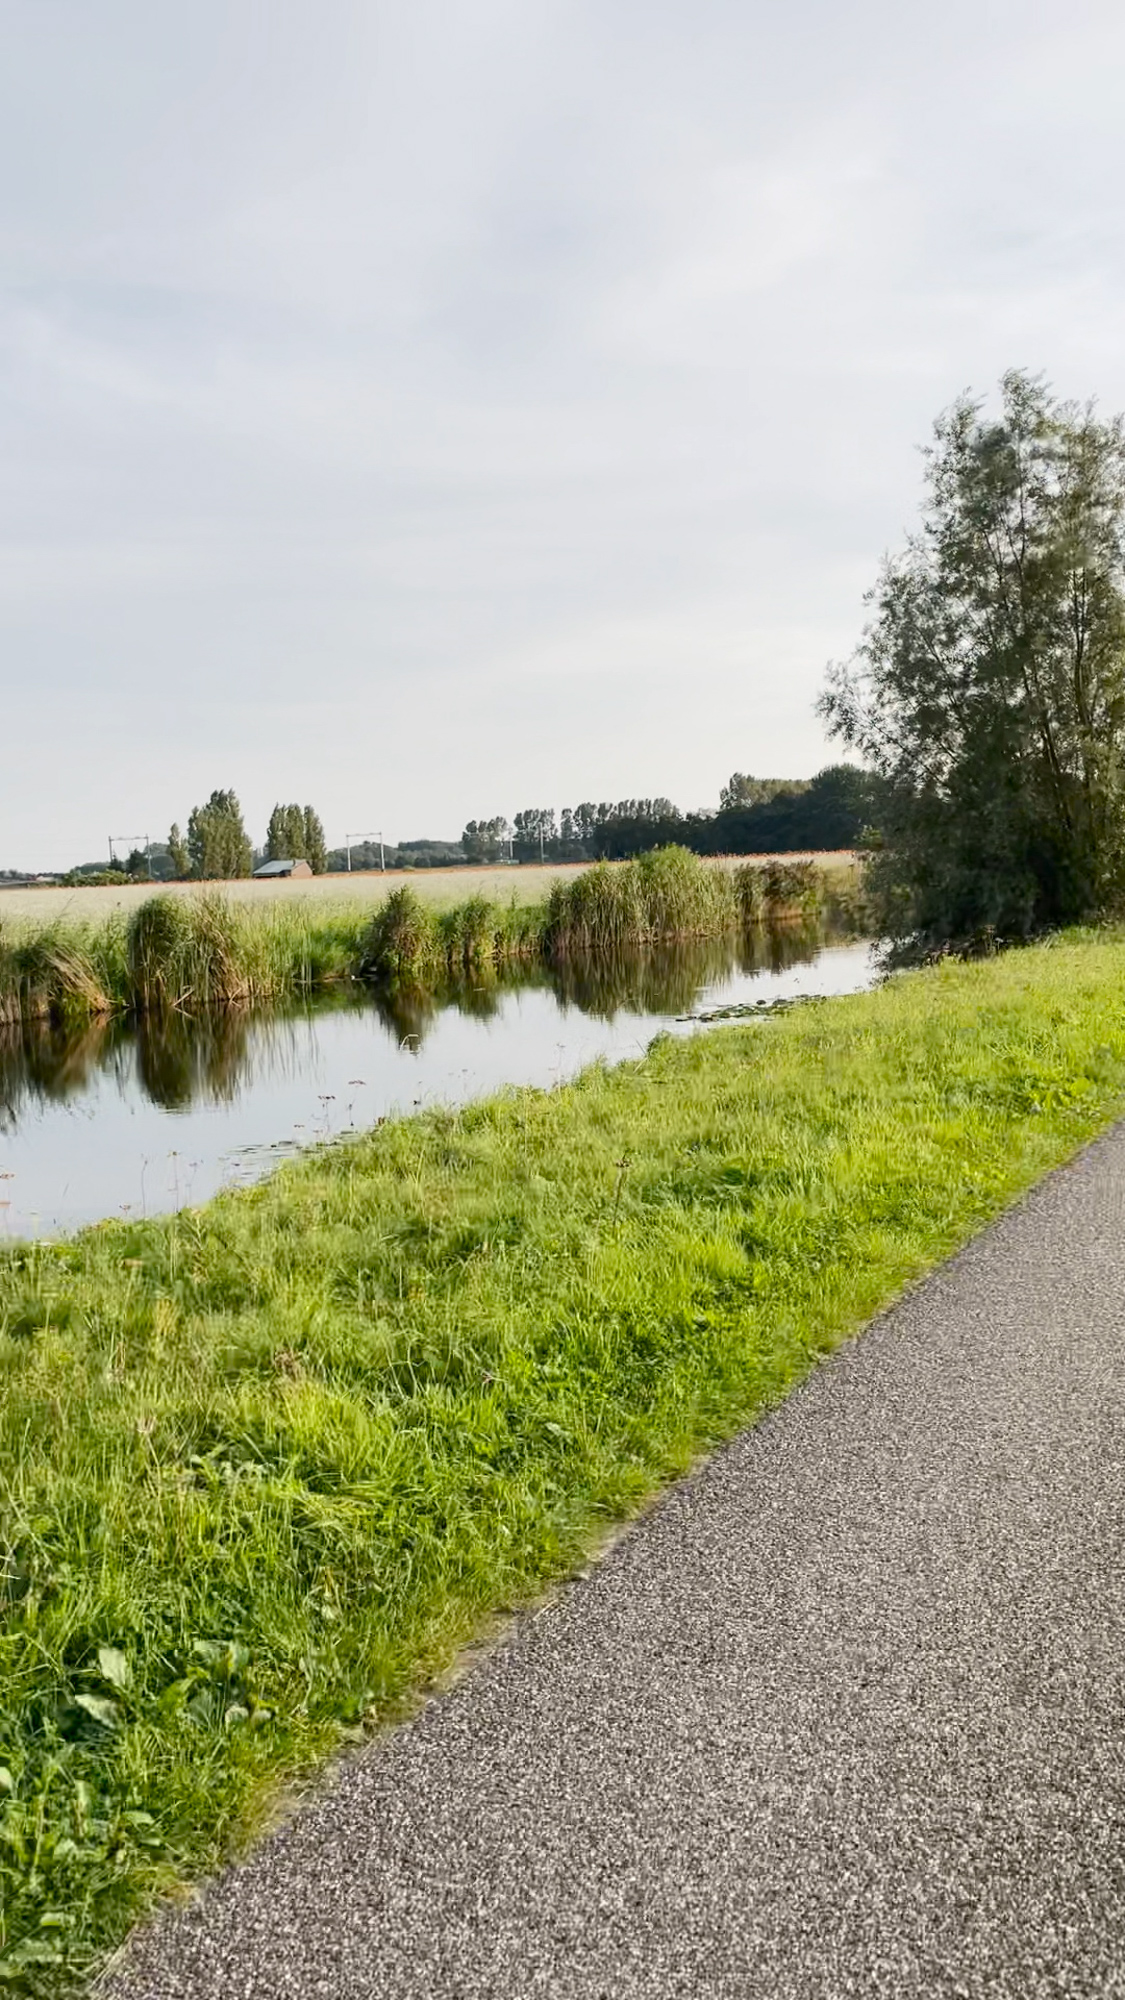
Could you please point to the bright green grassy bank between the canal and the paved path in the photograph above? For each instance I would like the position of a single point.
(269, 1465)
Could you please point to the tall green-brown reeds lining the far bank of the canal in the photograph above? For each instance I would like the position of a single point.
(195, 953)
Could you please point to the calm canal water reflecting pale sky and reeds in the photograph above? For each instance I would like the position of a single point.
(131, 1121)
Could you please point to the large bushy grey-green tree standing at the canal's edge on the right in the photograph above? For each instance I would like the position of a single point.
(990, 687)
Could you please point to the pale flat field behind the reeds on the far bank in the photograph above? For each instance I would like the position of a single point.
(435, 885)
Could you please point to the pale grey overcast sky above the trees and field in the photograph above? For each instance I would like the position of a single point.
(439, 409)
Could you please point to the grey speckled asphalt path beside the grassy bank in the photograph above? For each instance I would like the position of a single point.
(844, 1715)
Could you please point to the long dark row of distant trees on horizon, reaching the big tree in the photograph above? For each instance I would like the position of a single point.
(754, 817)
